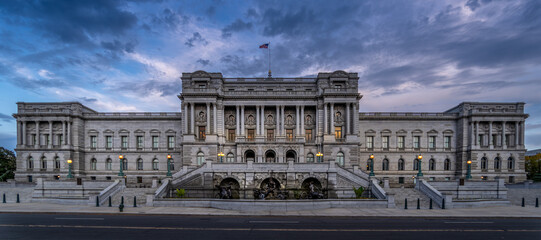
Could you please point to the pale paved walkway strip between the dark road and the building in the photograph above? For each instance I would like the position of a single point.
(500, 212)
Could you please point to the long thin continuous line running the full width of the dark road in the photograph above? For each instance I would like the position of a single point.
(266, 229)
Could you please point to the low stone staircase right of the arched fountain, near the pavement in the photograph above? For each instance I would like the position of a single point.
(412, 195)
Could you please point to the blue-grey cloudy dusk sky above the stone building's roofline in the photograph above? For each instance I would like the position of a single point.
(410, 55)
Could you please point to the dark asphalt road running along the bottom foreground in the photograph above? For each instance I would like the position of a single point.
(56, 226)
